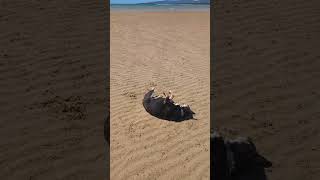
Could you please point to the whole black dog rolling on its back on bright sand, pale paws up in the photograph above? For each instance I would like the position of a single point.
(165, 107)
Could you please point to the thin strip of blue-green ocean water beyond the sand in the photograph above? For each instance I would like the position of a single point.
(158, 7)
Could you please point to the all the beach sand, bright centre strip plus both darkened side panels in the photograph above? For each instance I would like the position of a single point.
(53, 88)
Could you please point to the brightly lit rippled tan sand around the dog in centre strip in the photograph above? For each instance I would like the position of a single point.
(168, 51)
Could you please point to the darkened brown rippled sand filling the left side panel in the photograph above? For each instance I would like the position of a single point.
(53, 90)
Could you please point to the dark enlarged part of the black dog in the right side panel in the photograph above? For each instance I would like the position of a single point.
(236, 159)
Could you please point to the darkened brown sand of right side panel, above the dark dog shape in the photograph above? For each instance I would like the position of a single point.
(266, 81)
